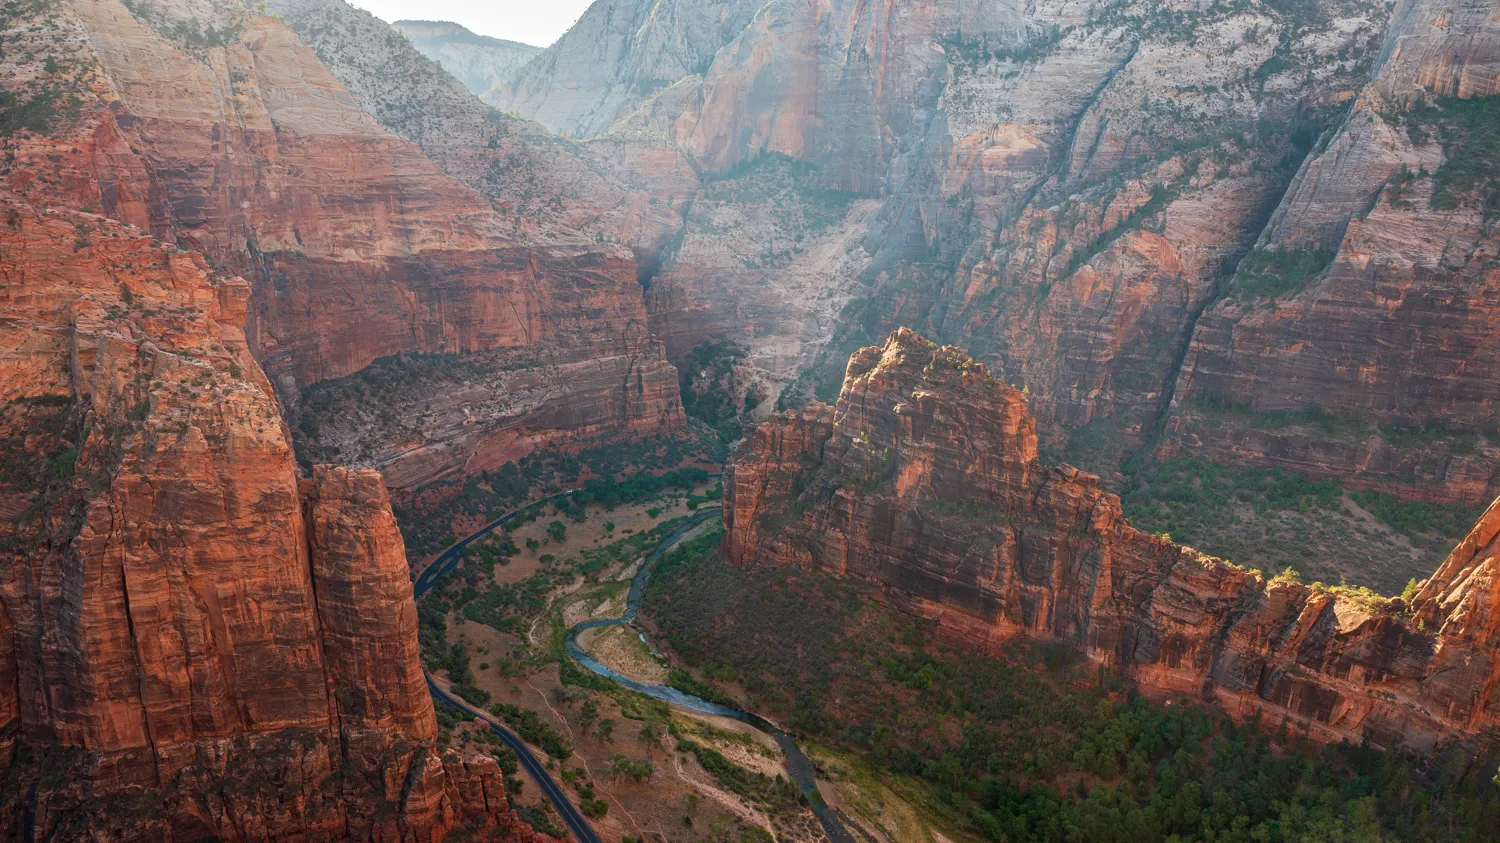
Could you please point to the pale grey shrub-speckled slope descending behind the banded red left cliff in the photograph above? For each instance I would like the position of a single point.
(623, 191)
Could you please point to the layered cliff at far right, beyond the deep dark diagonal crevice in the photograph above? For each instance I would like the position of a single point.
(1393, 337)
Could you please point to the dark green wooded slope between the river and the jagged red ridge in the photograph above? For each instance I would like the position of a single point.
(1034, 746)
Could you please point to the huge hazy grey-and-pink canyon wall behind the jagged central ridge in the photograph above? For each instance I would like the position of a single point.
(1207, 232)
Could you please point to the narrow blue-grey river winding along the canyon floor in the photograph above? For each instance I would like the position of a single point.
(799, 766)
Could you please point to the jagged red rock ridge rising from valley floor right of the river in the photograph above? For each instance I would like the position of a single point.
(925, 478)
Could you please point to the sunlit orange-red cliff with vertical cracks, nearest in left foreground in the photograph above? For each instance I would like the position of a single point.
(196, 643)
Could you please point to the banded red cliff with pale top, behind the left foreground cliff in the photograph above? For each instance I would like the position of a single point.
(248, 149)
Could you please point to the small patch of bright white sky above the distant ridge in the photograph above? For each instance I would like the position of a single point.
(529, 22)
